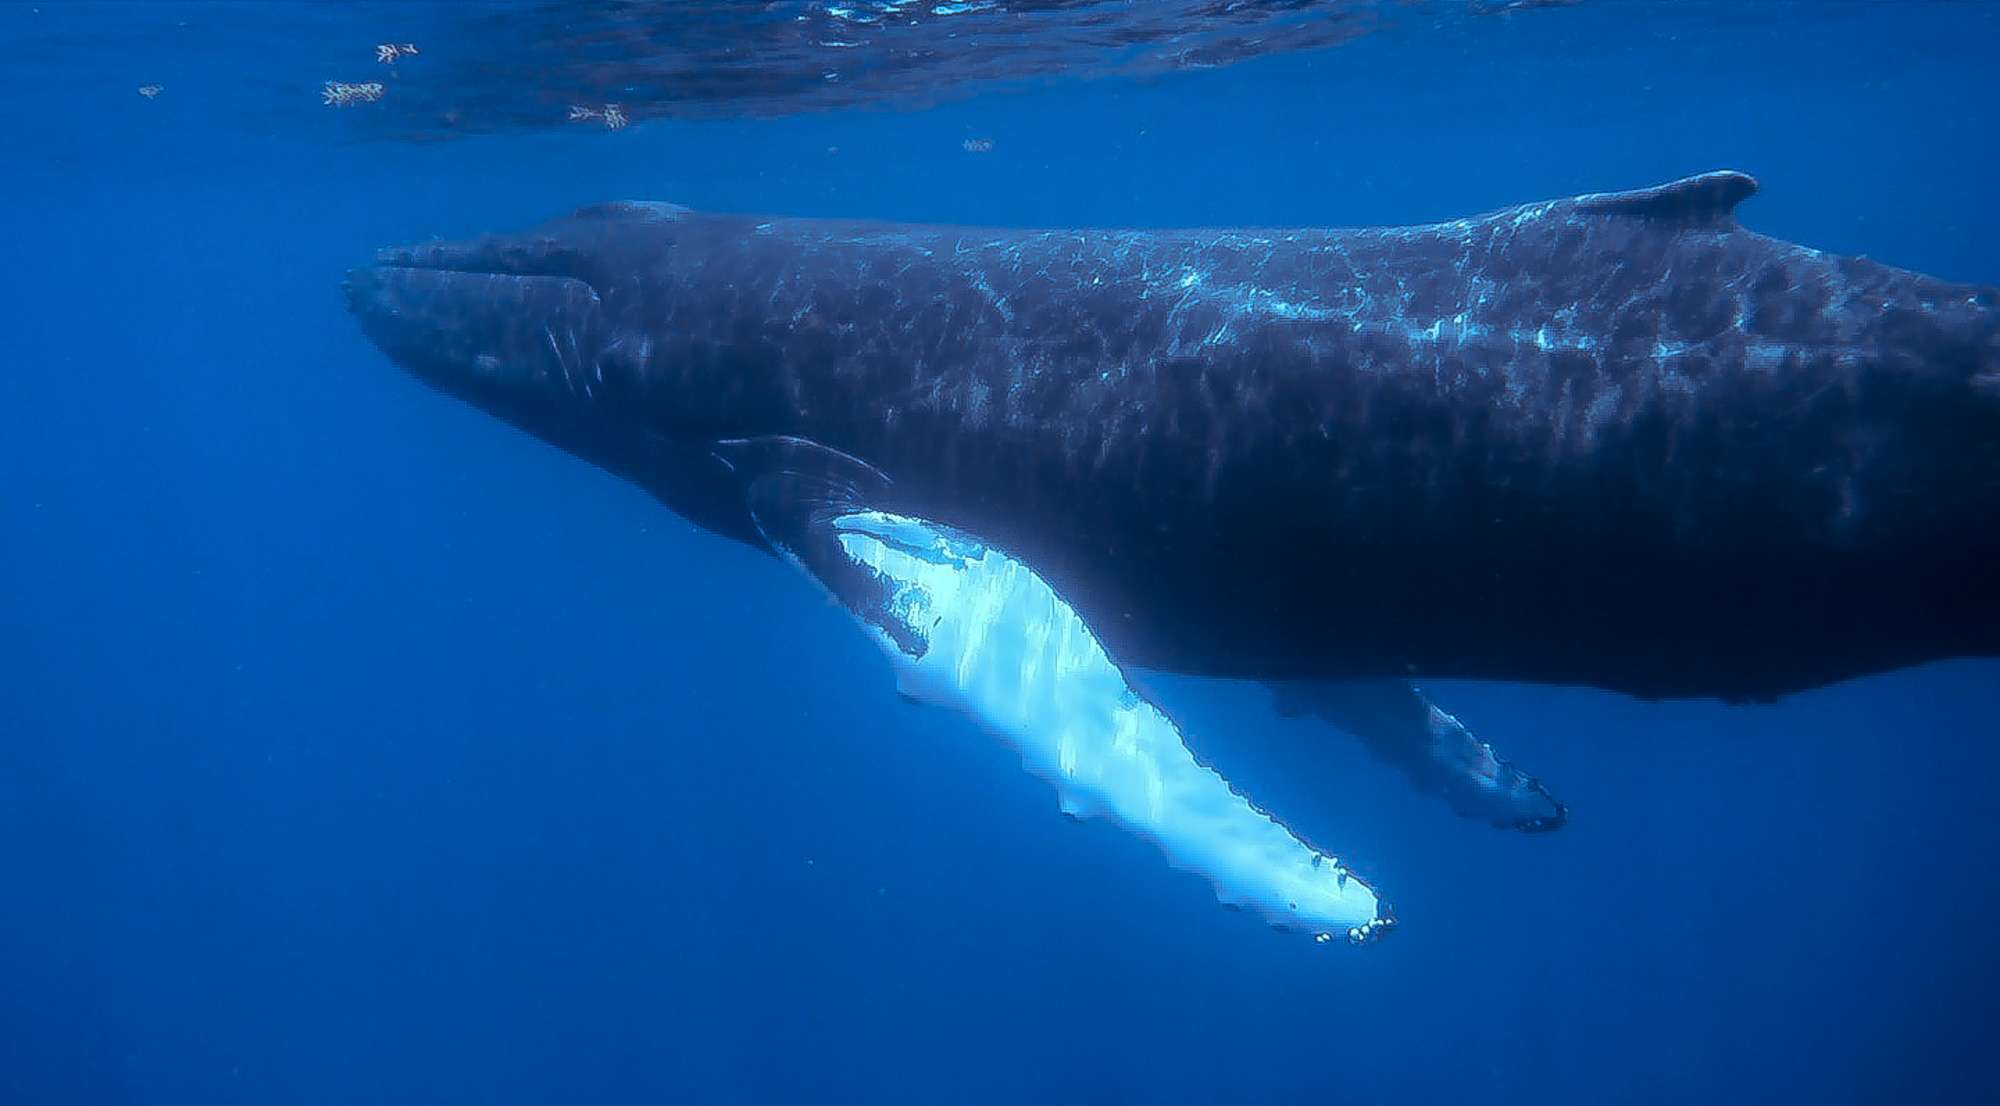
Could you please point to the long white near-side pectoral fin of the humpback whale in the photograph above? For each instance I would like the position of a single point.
(971, 627)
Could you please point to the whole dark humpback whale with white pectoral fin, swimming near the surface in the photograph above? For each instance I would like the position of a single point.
(1613, 441)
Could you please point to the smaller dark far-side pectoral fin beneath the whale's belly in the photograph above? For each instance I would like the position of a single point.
(1399, 725)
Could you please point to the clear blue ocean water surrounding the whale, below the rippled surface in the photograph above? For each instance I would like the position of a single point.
(359, 749)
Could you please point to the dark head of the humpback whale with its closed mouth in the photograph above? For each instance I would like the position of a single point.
(541, 331)
